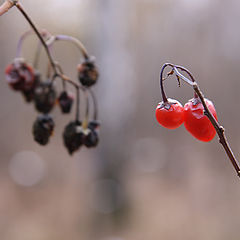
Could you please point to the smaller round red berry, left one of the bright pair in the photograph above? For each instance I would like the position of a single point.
(170, 114)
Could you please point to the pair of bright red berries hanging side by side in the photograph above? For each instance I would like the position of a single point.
(172, 114)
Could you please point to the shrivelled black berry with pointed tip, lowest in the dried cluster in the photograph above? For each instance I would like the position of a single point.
(73, 136)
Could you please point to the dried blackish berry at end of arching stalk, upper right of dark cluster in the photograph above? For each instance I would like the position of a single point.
(87, 73)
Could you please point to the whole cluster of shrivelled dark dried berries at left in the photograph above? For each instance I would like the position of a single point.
(24, 78)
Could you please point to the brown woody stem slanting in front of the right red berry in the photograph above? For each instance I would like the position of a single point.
(219, 129)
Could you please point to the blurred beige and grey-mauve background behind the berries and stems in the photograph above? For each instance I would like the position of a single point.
(142, 181)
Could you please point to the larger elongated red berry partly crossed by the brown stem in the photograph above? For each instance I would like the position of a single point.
(196, 122)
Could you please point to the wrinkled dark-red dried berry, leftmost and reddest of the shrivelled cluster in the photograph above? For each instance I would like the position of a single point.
(20, 75)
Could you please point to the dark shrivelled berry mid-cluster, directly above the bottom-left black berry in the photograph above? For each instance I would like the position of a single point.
(44, 97)
